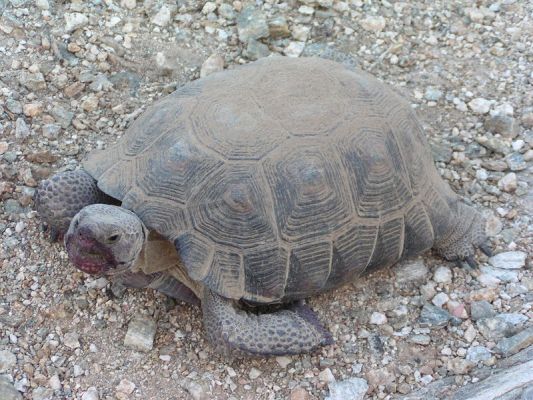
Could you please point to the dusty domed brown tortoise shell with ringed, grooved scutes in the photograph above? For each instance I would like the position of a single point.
(279, 179)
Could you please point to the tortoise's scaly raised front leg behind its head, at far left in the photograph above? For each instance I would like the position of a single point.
(61, 197)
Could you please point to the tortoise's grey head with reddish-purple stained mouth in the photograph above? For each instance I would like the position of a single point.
(104, 239)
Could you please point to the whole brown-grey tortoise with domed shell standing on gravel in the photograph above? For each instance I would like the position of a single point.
(261, 185)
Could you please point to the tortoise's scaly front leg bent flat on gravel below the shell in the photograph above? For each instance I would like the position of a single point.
(234, 331)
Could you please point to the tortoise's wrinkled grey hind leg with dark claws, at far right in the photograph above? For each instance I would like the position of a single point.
(466, 235)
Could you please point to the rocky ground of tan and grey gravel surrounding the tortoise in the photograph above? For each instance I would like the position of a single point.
(74, 74)
